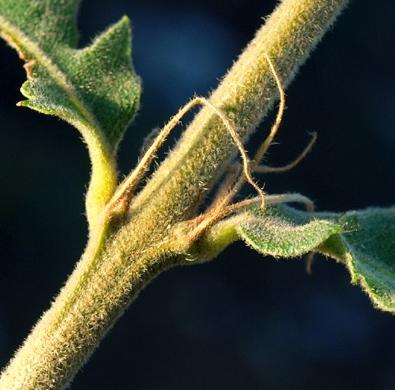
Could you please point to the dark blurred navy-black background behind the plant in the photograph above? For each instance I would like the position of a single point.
(242, 321)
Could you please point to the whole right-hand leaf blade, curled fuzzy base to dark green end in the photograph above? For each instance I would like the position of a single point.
(362, 240)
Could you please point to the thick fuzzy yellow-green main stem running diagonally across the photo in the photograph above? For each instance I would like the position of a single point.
(128, 253)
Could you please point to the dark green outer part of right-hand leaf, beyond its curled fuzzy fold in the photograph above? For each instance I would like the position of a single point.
(367, 248)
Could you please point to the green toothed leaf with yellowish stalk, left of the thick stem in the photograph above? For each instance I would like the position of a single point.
(94, 88)
